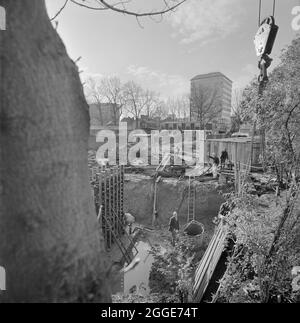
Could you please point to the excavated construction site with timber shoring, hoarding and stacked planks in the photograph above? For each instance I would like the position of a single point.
(134, 205)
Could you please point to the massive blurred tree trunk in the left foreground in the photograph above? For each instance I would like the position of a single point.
(50, 245)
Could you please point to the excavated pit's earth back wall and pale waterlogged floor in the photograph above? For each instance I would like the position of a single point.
(172, 195)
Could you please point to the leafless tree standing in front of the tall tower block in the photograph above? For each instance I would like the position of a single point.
(205, 104)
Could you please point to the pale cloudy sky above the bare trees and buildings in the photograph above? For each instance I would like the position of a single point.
(201, 36)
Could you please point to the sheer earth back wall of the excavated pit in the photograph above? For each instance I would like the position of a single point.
(172, 195)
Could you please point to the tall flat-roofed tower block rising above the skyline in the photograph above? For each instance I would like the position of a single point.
(213, 92)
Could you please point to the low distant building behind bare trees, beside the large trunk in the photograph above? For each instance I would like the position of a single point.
(103, 114)
